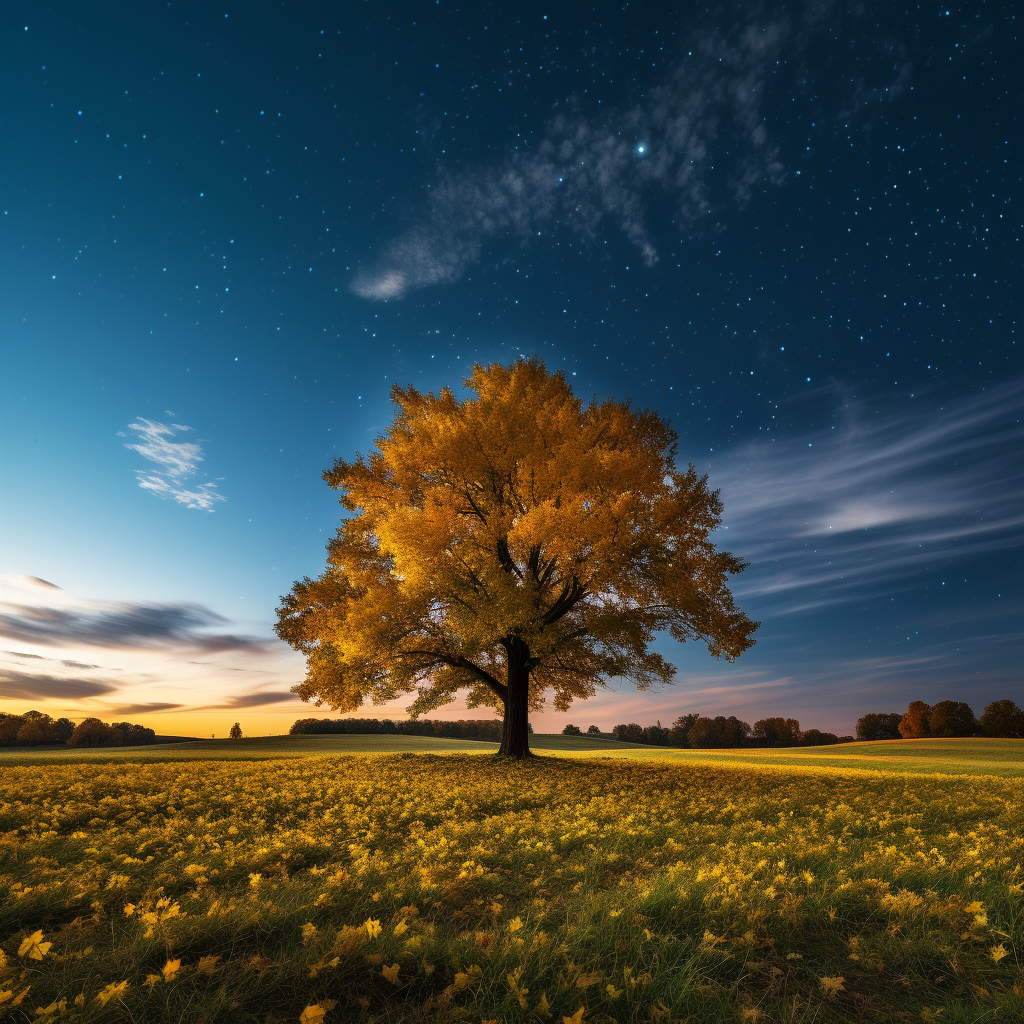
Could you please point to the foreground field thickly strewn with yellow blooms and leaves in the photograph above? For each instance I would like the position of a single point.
(426, 888)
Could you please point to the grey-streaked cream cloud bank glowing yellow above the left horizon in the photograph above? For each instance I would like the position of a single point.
(158, 659)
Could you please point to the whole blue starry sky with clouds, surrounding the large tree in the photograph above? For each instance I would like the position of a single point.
(795, 231)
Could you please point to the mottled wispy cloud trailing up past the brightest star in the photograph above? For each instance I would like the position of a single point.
(701, 141)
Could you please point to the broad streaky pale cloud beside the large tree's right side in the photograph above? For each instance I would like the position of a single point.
(826, 519)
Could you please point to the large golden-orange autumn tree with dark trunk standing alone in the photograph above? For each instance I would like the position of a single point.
(511, 545)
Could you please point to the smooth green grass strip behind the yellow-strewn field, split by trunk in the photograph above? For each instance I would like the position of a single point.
(945, 757)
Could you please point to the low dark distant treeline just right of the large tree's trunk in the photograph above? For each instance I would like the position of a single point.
(700, 733)
